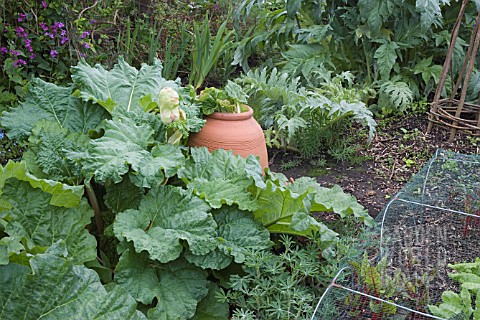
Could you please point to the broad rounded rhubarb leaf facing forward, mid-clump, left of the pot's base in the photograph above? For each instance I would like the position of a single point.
(167, 216)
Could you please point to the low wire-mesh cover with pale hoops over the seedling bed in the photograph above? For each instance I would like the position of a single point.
(432, 222)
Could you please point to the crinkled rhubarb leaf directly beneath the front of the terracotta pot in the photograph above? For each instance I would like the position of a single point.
(219, 177)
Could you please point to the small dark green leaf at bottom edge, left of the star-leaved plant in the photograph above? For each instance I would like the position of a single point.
(209, 308)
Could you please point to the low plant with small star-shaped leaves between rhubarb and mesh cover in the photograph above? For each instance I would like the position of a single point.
(280, 284)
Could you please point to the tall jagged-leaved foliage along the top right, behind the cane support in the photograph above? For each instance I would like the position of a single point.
(378, 41)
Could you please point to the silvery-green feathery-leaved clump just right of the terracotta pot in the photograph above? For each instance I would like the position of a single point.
(304, 120)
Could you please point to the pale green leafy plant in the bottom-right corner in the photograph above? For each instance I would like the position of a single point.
(465, 303)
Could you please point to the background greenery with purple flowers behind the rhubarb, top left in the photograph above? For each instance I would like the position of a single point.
(44, 38)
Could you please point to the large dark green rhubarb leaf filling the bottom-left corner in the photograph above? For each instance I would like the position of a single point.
(54, 288)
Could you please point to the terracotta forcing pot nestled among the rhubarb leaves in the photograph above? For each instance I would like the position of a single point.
(239, 132)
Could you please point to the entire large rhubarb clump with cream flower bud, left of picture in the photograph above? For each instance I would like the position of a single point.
(106, 213)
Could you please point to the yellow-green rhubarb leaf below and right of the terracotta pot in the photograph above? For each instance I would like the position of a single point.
(283, 211)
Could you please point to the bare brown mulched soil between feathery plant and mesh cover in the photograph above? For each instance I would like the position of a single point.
(400, 148)
